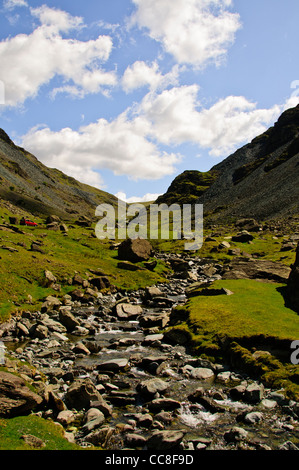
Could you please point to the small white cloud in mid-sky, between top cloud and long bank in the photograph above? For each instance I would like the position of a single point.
(141, 74)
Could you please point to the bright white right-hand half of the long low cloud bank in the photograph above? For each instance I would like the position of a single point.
(176, 116)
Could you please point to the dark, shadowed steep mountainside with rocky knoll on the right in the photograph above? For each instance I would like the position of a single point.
(259, 180)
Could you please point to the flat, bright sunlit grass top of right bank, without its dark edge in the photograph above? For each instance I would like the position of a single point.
(255, 308)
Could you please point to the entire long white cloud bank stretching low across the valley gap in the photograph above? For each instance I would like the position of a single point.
(134, 143)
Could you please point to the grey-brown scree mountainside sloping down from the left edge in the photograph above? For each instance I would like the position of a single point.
(36, 189)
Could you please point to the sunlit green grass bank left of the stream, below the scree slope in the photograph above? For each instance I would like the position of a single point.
(22, 271)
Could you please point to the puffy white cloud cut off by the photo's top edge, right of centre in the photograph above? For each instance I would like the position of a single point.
(194, 31)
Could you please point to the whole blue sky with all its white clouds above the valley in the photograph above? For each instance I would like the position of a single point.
(126, 94)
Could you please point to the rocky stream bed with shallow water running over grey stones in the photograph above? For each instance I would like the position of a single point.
(114, 380)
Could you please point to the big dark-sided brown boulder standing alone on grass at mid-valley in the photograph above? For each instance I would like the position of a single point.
(135, 250)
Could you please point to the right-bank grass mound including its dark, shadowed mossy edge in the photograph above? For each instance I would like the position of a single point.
(232, 327)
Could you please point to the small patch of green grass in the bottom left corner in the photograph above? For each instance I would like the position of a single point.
(50, 433)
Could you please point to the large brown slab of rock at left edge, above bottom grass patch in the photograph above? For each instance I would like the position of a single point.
(15, 397)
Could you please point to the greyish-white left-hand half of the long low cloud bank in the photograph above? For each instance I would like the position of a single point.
(120, 146)
